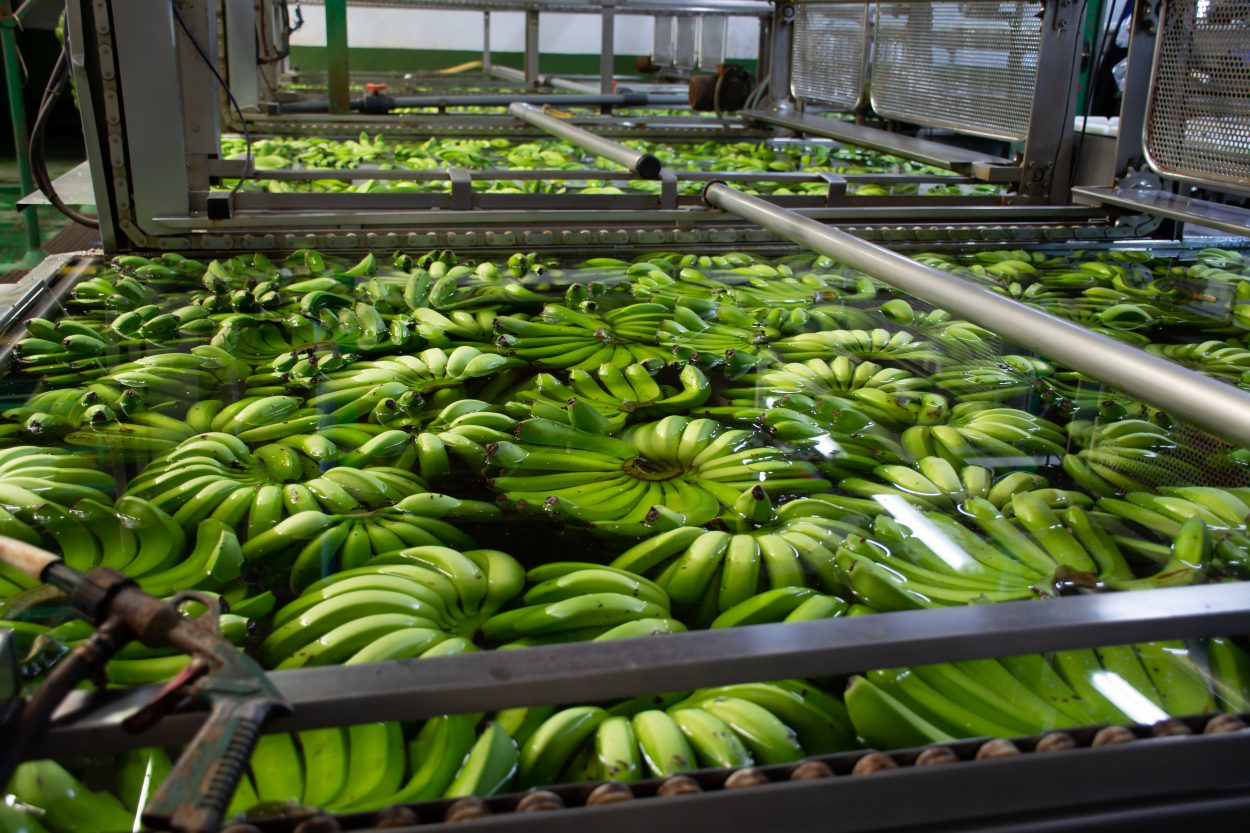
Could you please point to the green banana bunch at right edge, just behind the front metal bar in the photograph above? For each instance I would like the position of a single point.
(1224, 512)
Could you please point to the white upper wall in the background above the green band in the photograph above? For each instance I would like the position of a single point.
(462, 31)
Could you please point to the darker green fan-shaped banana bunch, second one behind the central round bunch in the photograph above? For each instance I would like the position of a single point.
(568, 338)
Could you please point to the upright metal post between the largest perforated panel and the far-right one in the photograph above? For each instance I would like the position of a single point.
(1047, 171)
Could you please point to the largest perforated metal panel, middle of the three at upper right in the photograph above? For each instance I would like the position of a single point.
(971, 67)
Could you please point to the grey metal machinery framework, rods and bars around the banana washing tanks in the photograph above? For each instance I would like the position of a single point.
(982, 89)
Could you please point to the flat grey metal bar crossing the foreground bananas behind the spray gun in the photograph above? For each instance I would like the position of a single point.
(592, 672)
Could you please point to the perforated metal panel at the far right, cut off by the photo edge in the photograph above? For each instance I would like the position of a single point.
(1198, 124)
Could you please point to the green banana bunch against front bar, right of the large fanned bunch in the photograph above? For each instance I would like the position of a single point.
(576, 602)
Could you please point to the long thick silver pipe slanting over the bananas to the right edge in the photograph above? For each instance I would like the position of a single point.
(1218, 407)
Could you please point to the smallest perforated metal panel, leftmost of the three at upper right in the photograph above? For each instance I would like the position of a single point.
(829, 47)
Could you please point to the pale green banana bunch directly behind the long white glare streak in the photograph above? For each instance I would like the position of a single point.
(933, 483)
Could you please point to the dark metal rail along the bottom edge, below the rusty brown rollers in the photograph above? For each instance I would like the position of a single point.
(1084, 790)
